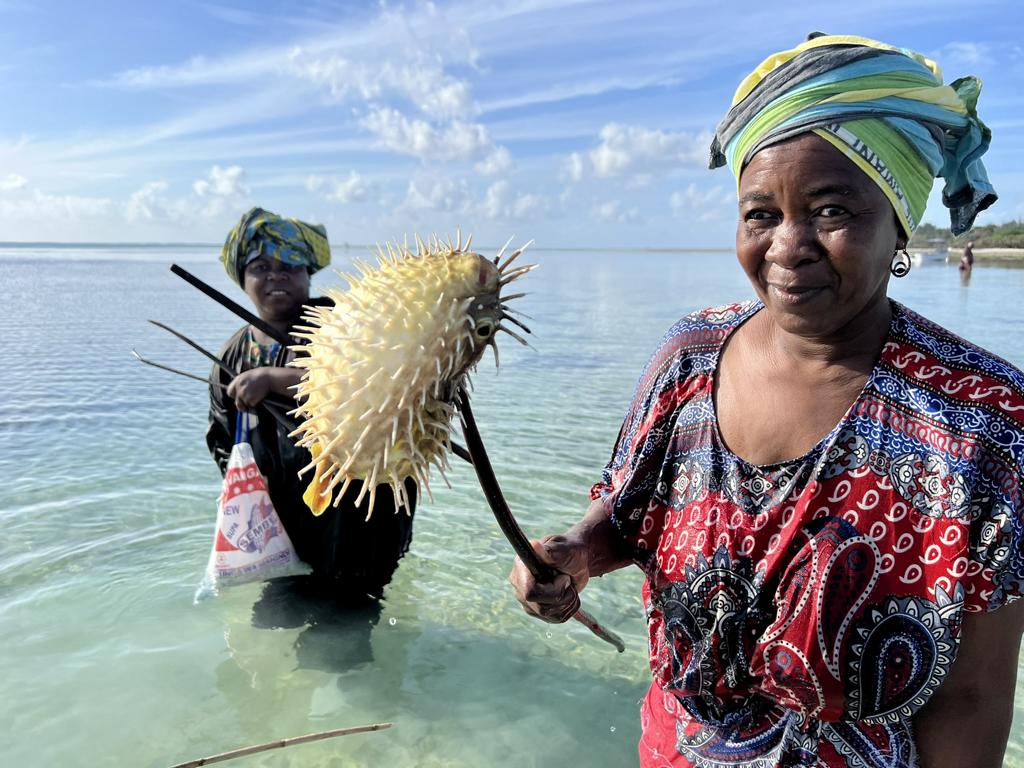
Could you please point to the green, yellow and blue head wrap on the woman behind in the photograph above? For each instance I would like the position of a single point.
(264, 234)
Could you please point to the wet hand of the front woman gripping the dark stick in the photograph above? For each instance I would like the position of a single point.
(559, 601)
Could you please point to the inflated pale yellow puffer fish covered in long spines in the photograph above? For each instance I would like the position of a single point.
(385, 364)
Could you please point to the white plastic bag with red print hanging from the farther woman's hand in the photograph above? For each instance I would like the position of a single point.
(249, 542)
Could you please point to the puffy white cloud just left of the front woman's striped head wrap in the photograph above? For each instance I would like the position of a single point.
(627, 149)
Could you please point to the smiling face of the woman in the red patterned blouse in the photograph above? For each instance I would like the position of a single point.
(817, 238)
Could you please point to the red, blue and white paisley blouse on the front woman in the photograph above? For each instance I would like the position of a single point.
(800, 614)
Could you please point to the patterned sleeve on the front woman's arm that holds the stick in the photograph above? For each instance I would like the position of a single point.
(631, 488)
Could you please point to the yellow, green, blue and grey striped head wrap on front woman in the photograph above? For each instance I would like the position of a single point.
(886, 109)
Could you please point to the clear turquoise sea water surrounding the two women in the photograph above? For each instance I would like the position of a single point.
(108, 508)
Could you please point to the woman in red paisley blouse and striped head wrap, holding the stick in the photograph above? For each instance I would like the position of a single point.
(823, 489)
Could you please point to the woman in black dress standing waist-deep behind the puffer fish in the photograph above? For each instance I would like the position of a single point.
(353, 559)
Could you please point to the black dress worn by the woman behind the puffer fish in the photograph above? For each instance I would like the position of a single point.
(352, 559)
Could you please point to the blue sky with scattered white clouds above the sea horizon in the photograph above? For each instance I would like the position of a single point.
(574, 123)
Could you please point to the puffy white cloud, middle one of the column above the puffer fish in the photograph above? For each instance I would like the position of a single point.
(457, 141)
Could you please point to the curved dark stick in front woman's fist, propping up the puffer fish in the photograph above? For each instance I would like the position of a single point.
(489, 483)
